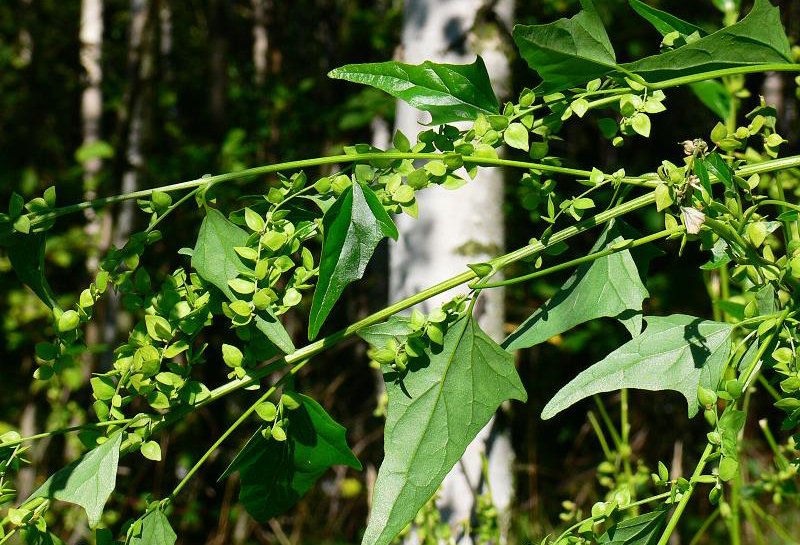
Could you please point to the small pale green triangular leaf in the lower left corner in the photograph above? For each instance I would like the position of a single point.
(88, 481)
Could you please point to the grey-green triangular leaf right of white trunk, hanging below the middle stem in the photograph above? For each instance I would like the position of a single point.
(610, 286)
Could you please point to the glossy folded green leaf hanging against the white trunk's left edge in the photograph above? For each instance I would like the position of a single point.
(353, 226)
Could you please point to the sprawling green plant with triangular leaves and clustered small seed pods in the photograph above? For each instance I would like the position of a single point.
(444, 376)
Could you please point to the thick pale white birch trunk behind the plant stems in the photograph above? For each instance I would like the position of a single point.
(456, 229)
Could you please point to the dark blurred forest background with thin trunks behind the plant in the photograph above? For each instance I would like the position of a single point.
(169, 91)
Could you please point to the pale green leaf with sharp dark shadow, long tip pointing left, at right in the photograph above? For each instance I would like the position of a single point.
(677, 352)
